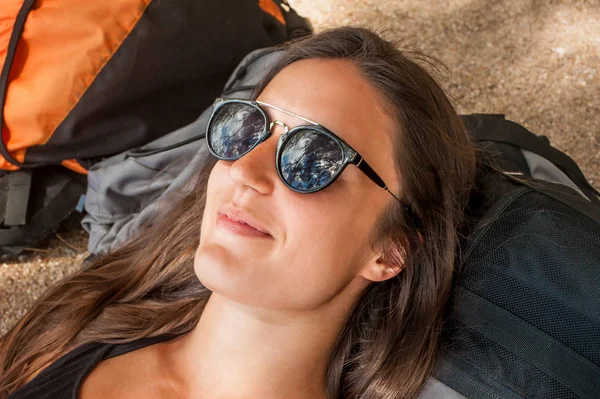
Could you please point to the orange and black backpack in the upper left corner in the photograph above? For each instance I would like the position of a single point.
(119, 74)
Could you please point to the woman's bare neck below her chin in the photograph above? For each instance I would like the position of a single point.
(236, 351)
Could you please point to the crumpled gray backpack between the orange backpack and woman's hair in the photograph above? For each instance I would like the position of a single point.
(126, 190)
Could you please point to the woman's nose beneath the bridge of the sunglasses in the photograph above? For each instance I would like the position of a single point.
(257, 168)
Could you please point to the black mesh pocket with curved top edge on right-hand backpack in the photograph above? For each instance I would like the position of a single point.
(541, 262)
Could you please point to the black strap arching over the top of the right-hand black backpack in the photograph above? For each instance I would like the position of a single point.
(494, 128)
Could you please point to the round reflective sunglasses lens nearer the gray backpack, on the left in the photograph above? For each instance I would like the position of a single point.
(234, 129)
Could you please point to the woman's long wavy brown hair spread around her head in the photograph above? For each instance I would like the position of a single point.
(388, 347)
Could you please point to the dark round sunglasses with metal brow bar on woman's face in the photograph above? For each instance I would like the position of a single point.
(309, 157)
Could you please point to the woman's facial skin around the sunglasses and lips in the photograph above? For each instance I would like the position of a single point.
(319, 242)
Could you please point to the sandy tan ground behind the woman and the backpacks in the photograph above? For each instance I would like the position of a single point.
(537, 62)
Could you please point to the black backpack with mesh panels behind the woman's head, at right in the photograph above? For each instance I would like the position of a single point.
(524, 317)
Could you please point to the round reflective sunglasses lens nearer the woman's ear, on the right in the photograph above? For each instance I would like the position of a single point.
(310, 159)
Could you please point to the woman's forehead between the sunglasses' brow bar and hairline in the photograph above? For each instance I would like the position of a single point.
(334, 94)
